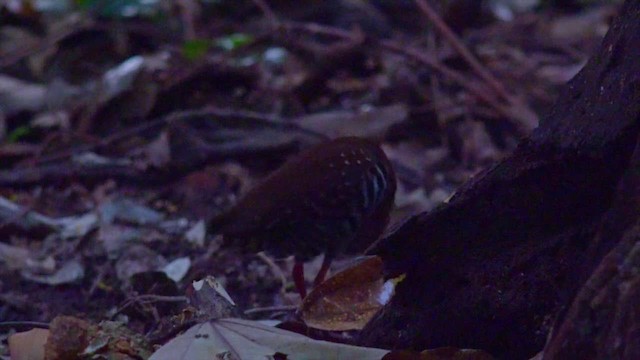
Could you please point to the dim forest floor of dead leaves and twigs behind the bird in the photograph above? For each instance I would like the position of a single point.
(124, 129)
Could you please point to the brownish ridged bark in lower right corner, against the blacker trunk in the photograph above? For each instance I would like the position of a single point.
(604, 319)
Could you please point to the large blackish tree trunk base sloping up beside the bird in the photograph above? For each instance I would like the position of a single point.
(494, 267)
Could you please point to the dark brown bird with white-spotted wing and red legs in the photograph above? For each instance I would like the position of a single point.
(334, 198)
